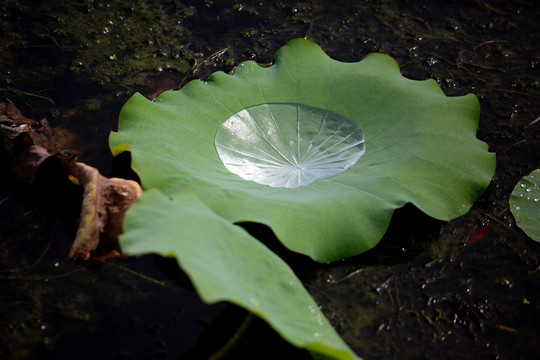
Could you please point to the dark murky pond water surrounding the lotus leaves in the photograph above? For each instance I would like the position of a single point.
(425, 292)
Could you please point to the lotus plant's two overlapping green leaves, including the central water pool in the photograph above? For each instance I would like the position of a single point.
(321, 151)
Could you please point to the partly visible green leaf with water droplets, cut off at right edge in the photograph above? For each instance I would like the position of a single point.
(525, 204)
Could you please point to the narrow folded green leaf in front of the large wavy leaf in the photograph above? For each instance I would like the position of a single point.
(225, 263)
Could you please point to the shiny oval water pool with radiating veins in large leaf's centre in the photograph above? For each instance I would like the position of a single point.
(288, 145)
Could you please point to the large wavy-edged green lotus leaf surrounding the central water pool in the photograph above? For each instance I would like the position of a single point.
(420, 148)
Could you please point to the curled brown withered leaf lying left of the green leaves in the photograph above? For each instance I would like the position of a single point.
(26, 145)
